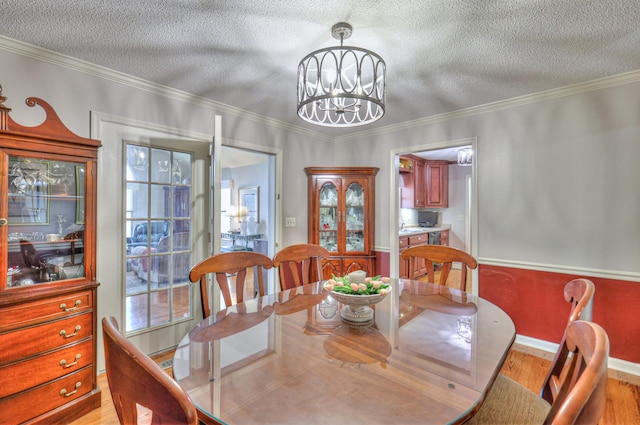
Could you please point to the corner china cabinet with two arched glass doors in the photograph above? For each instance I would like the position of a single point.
(341, 217)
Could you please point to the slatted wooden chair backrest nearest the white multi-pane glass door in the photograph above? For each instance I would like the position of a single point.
(229, 263)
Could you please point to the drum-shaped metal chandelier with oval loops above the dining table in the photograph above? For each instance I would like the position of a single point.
(341, 86)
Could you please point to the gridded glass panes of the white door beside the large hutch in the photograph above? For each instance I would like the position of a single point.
(158, 238)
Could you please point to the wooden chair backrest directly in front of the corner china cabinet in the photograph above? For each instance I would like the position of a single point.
(299, 264)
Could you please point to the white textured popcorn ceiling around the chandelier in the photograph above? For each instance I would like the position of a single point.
(441, 55)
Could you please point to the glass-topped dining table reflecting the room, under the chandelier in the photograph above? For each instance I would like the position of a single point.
(429, 356)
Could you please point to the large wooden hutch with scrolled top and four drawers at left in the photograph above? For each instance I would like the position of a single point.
(48, 297)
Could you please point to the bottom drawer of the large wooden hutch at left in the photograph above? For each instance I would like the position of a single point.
(32, 403)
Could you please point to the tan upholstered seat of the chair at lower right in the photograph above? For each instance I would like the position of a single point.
(525, 406)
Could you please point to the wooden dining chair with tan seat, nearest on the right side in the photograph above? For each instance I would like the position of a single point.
(581, 396)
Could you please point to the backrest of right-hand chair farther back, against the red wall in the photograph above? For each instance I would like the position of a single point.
(579, 293)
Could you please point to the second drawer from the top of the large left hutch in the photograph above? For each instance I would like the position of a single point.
(27, 342)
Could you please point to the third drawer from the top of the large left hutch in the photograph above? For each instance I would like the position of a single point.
(38, 370)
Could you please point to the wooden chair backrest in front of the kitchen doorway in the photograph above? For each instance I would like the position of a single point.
(439, 254)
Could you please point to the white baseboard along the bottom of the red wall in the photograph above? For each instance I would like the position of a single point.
(619, 369)
